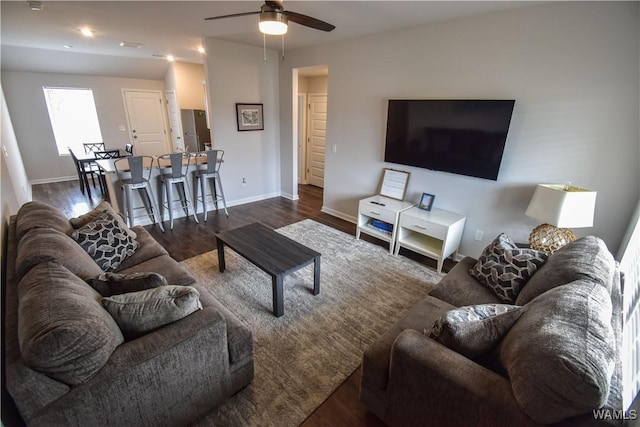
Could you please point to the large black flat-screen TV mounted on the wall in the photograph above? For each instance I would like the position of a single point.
(465, 137)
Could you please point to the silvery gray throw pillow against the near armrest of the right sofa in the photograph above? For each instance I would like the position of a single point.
(475, 329)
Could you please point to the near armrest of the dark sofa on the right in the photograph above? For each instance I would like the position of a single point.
(428, 381)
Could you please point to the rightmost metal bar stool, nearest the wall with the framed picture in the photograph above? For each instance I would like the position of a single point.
(209, 172)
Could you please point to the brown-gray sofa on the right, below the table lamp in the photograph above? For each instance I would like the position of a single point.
(554, 365)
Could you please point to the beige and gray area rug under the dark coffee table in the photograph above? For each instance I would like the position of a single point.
(303, 356)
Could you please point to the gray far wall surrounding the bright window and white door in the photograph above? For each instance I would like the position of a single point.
(31, 123)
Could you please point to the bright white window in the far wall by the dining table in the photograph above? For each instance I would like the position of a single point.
(73, 116)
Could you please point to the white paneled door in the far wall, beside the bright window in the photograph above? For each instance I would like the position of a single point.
(146, 119)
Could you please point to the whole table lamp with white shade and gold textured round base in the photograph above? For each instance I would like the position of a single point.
(559, 207)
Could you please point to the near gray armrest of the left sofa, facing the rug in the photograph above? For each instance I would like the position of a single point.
(146, 379)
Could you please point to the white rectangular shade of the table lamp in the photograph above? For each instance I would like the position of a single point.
(563, 206)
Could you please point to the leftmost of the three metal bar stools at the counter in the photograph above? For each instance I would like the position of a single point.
(136, 177)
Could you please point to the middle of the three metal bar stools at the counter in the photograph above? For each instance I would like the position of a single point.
(175, 174)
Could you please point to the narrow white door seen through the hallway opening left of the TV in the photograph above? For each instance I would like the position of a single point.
(316, 138)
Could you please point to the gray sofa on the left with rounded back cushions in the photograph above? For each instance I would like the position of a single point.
(86, 373)
